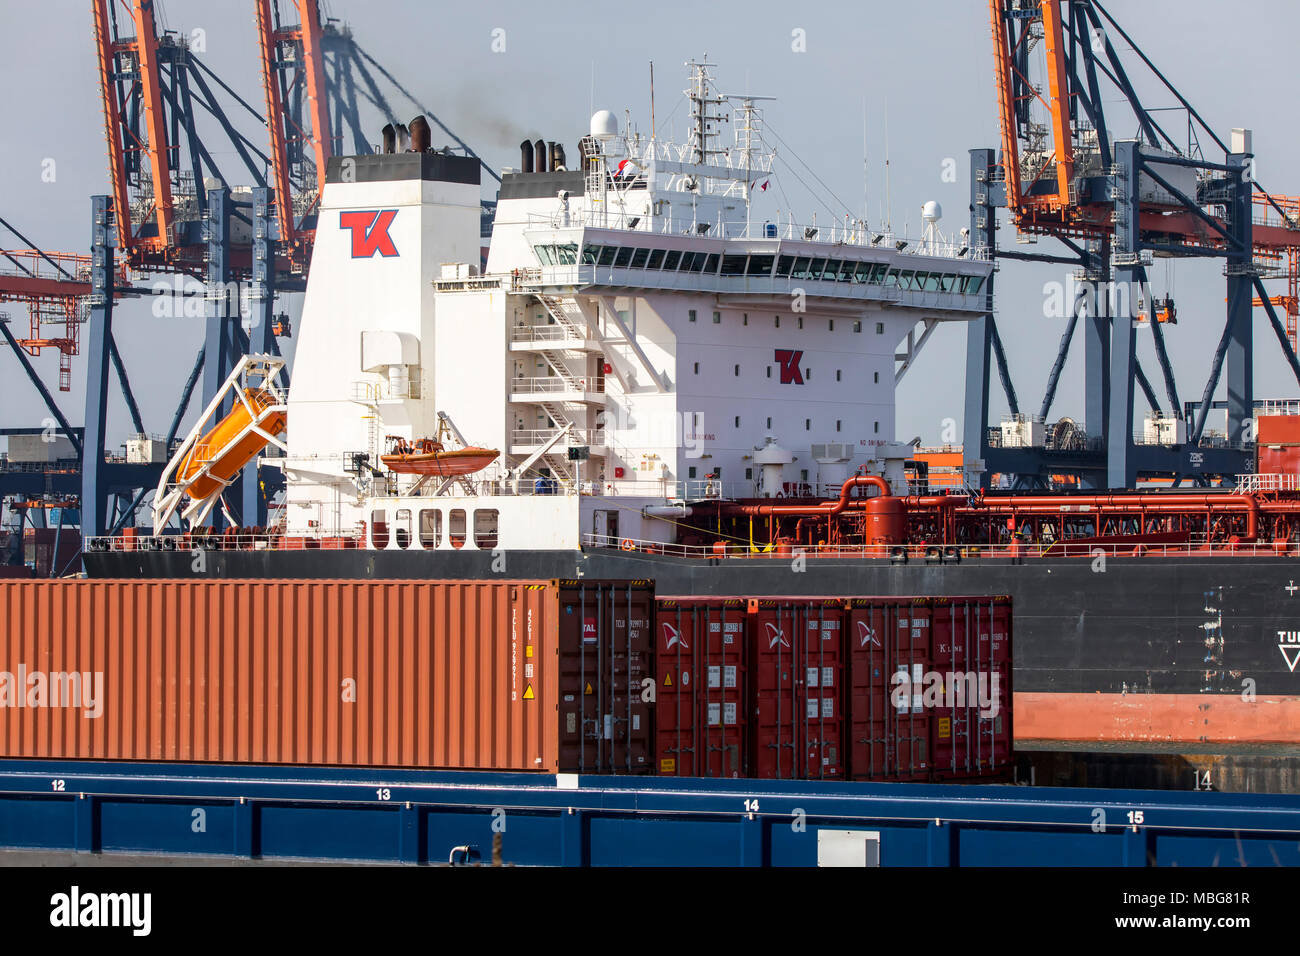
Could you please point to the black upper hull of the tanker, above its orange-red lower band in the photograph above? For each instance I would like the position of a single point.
(1132, 626)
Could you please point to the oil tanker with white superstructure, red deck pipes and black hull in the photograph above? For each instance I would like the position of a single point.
(658, 379)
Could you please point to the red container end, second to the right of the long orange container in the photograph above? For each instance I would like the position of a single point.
(796, 671)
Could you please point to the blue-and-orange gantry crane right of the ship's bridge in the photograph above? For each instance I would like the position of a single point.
(1113, 205)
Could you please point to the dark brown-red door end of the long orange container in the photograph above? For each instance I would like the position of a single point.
(606, 667)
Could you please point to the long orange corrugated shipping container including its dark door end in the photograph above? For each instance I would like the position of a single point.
(402, 674)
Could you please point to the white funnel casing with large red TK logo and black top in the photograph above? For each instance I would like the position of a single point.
(365, 354)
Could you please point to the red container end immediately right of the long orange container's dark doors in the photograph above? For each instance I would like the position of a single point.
(701, 708)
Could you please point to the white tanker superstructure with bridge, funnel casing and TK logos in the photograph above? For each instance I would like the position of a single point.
(647, 332)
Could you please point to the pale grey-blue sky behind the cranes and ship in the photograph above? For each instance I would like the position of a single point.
(928, 67)
